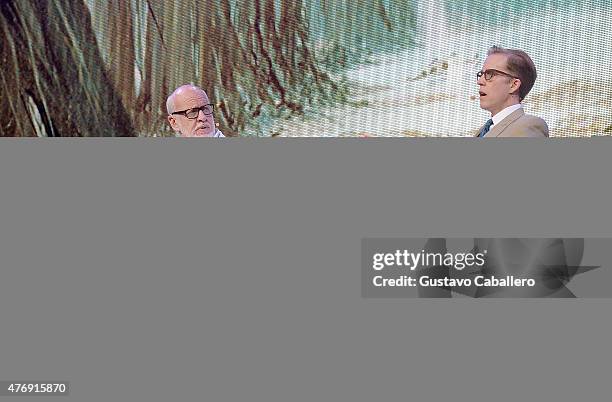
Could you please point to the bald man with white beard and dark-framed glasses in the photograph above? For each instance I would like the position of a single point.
(190, 113)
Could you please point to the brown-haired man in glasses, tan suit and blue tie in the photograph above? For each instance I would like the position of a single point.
(506, 78)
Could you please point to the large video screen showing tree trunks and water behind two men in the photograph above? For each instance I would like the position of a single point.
(292, 68)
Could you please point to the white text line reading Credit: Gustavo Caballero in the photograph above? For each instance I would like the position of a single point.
(427, 281)
